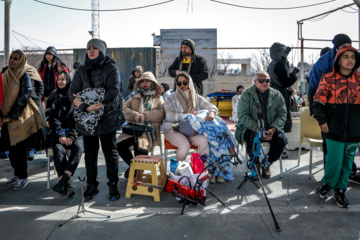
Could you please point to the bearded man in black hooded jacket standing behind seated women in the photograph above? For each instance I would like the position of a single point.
(188, 61)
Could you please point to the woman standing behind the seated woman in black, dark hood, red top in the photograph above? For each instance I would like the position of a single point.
(49, 67)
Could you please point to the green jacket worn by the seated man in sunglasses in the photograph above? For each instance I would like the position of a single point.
(276, 112)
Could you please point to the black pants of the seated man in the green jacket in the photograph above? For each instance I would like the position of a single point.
(278, 143)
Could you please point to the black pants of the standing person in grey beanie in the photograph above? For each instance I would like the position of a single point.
(91, 146)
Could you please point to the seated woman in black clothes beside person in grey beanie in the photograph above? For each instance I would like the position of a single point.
(64, 136)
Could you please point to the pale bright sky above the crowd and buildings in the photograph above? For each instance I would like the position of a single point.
(237, 27)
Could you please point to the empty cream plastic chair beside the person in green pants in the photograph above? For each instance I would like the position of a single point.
(310, 133)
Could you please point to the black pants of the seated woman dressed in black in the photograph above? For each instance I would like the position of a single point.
(61, 164)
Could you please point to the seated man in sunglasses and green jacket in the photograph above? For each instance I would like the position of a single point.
(273, 111)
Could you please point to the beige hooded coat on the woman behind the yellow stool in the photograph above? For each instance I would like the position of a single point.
(155, 116)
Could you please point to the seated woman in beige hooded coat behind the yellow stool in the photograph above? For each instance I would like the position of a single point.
(146, 108)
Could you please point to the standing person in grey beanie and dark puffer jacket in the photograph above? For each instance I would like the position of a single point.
(98, 72)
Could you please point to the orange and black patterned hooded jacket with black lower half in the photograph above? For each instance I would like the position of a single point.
(337, 101)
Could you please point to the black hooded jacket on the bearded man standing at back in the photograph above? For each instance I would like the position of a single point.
(197, 68)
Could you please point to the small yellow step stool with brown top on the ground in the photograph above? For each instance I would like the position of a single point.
(141, 163)
